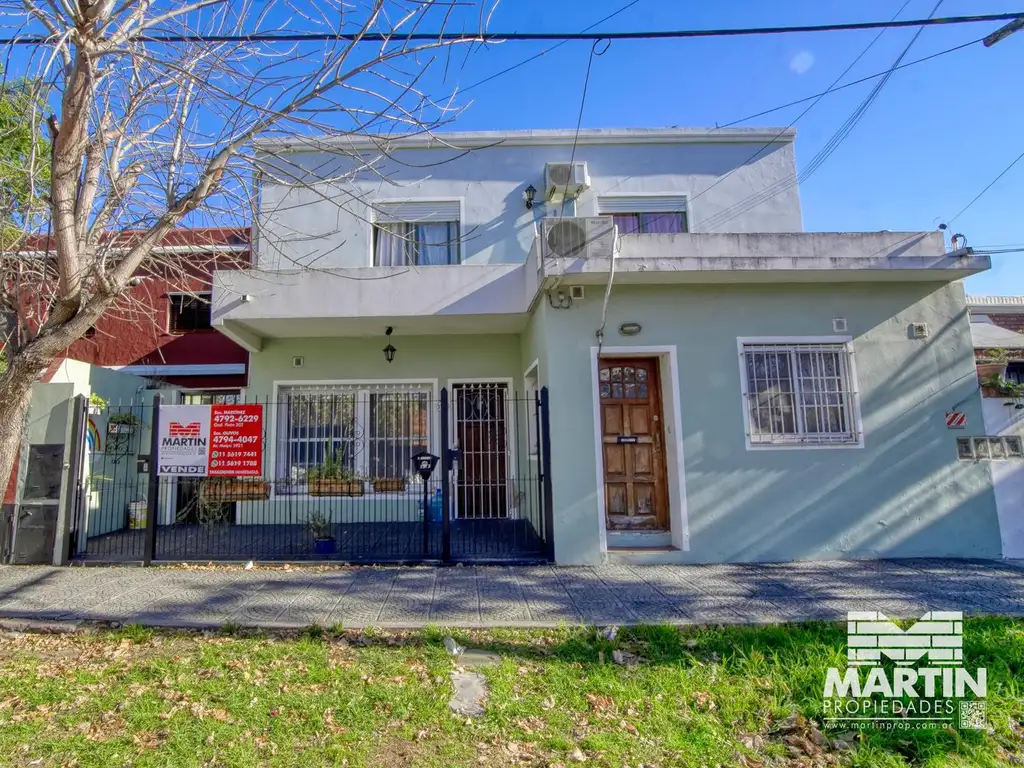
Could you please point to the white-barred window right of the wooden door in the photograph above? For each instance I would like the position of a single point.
(800, 395)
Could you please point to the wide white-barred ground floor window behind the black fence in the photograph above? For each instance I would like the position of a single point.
(349, 432)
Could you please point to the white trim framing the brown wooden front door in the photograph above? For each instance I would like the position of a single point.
(671, 407)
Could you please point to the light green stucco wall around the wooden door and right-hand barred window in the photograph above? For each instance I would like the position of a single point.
(903, 495)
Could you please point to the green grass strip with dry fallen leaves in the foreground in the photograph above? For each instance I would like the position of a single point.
(699, 697)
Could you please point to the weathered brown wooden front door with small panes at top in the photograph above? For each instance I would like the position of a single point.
(635, 497)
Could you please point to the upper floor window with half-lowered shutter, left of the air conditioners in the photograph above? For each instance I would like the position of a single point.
(424, 234)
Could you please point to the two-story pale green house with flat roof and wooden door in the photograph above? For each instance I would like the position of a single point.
(721, 386)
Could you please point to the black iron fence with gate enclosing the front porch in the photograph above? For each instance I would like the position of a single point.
(337, 481)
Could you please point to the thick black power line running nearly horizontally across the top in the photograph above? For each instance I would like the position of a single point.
(398, 35)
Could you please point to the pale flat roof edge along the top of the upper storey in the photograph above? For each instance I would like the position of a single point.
(545, 138)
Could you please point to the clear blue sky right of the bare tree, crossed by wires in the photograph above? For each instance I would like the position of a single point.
(937, 135)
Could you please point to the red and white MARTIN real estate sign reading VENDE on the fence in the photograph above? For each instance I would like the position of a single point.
(211, 441)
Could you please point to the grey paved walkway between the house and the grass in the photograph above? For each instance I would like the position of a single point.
(495, 596)
